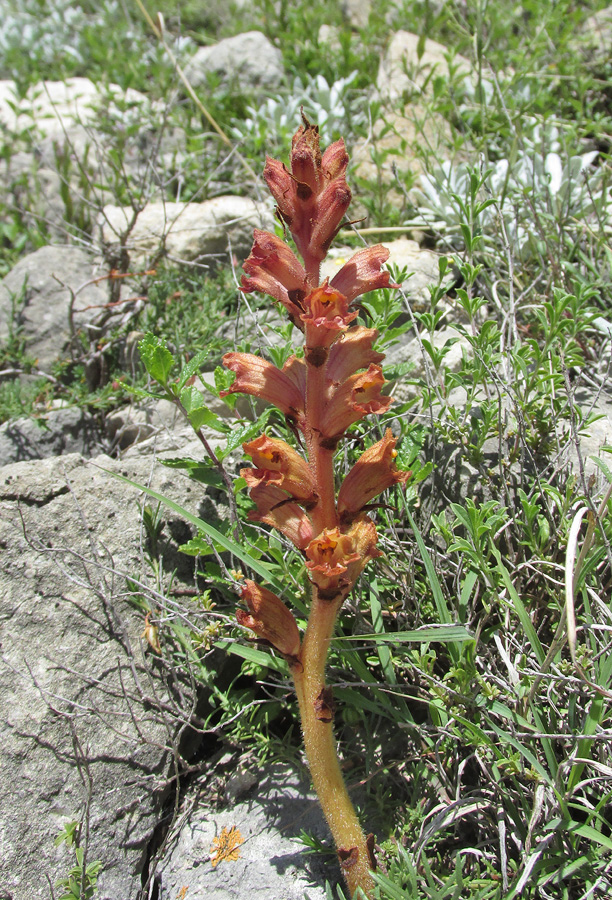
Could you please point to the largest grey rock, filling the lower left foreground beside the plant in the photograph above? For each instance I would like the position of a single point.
(77, 689)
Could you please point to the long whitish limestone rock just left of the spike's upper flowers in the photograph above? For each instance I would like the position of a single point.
(187, 231)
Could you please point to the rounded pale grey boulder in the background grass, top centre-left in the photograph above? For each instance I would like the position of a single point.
(246, 62)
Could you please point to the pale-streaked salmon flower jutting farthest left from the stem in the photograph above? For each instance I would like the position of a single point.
(260, 378)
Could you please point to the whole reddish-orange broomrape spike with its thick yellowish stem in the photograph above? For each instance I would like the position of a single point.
(336, 383)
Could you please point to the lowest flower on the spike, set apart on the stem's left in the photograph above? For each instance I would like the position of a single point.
(270, 619)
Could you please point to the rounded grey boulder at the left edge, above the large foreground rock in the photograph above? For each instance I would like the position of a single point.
(41, 287)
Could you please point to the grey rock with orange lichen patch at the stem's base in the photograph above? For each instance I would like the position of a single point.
(271, 864)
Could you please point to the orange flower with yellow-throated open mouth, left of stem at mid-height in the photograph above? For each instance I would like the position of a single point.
(279, 464)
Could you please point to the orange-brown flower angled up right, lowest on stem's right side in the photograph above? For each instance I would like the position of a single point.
(373, 472)
